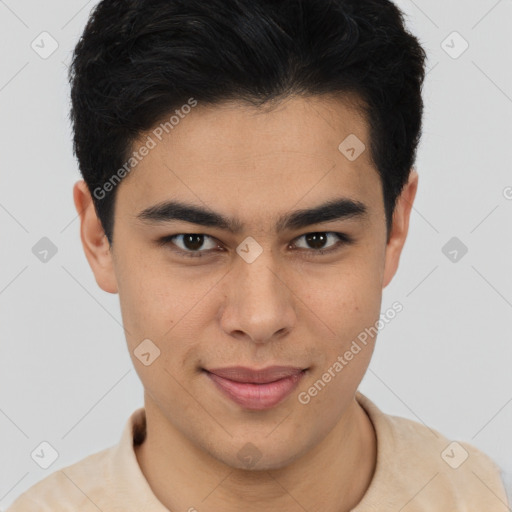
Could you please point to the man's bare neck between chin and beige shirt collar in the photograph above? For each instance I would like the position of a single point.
(332, 477)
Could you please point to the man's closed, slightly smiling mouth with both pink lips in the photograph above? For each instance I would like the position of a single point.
(256, 389)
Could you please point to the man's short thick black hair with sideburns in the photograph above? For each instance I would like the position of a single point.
(139, 60)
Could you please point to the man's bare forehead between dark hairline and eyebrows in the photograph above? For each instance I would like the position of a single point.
(255, 161)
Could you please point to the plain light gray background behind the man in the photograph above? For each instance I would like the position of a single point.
(65, 374)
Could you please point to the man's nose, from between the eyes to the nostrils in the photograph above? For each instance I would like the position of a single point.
(259, 303)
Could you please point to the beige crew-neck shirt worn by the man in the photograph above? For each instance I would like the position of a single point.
(417, 469)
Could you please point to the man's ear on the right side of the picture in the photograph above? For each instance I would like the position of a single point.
(399, 227)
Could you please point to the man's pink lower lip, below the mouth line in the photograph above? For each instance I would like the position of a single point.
(257, 396)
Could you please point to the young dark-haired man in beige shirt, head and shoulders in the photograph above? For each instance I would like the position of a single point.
(248, 182)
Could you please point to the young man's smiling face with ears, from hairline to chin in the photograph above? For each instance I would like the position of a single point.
(287, 305)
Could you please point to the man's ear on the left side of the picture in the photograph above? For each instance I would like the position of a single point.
(94, 241)
